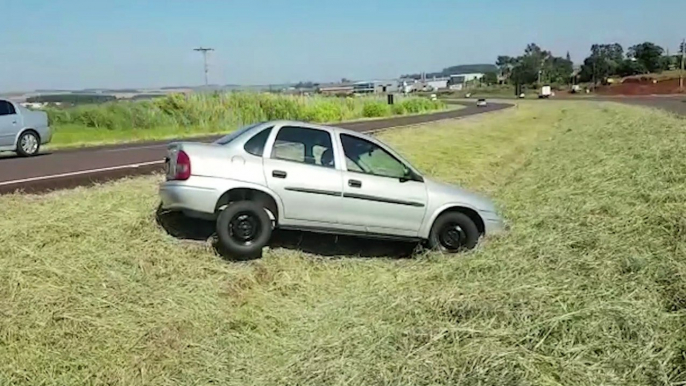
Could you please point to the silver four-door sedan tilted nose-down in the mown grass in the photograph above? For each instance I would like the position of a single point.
(302, 176)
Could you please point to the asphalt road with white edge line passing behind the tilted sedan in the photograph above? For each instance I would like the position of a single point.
(71, 168)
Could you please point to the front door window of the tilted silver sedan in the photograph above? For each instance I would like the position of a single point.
(362, 156)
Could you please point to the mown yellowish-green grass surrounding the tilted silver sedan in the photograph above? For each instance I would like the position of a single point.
(586, 289)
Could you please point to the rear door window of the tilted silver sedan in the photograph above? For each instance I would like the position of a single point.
(305, 145)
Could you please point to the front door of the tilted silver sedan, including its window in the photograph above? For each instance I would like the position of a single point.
(378, 192)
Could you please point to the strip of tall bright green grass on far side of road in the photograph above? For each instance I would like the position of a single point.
(195, 115)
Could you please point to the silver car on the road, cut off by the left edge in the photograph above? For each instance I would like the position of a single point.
(22, 130)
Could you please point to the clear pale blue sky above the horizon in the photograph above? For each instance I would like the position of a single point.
(148, 43)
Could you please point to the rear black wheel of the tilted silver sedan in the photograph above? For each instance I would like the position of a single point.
(243, 229)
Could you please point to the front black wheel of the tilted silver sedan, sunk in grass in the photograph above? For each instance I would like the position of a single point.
(453, 232)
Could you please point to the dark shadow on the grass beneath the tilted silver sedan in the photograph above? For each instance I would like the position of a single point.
(186, 228)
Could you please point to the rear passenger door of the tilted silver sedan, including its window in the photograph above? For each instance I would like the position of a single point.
(301, 169)
